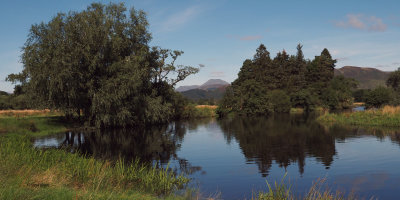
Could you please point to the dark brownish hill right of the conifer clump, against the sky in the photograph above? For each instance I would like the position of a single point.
(368, 78)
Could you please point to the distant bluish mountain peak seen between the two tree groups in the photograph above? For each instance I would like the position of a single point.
(212, 89)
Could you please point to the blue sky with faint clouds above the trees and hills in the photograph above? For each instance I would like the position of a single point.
(220, 34)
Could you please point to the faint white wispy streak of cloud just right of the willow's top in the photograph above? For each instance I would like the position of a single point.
(181, 18)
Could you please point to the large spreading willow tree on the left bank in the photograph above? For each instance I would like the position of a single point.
(97, 64)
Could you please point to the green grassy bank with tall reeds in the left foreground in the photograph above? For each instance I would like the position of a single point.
(29, 173)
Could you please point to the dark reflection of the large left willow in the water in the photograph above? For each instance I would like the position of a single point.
(156, 144)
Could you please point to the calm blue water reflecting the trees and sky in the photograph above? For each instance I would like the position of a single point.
(236, 156)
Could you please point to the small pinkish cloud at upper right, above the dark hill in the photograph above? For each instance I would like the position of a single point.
(362, 22)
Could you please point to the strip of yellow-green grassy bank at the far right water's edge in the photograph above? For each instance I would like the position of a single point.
(387, 116)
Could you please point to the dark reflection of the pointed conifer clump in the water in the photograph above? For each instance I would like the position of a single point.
(284, 139)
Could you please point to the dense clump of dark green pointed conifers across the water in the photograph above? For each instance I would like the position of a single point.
(266, 85)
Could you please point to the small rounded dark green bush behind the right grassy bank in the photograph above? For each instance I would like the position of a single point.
(378, 97)
